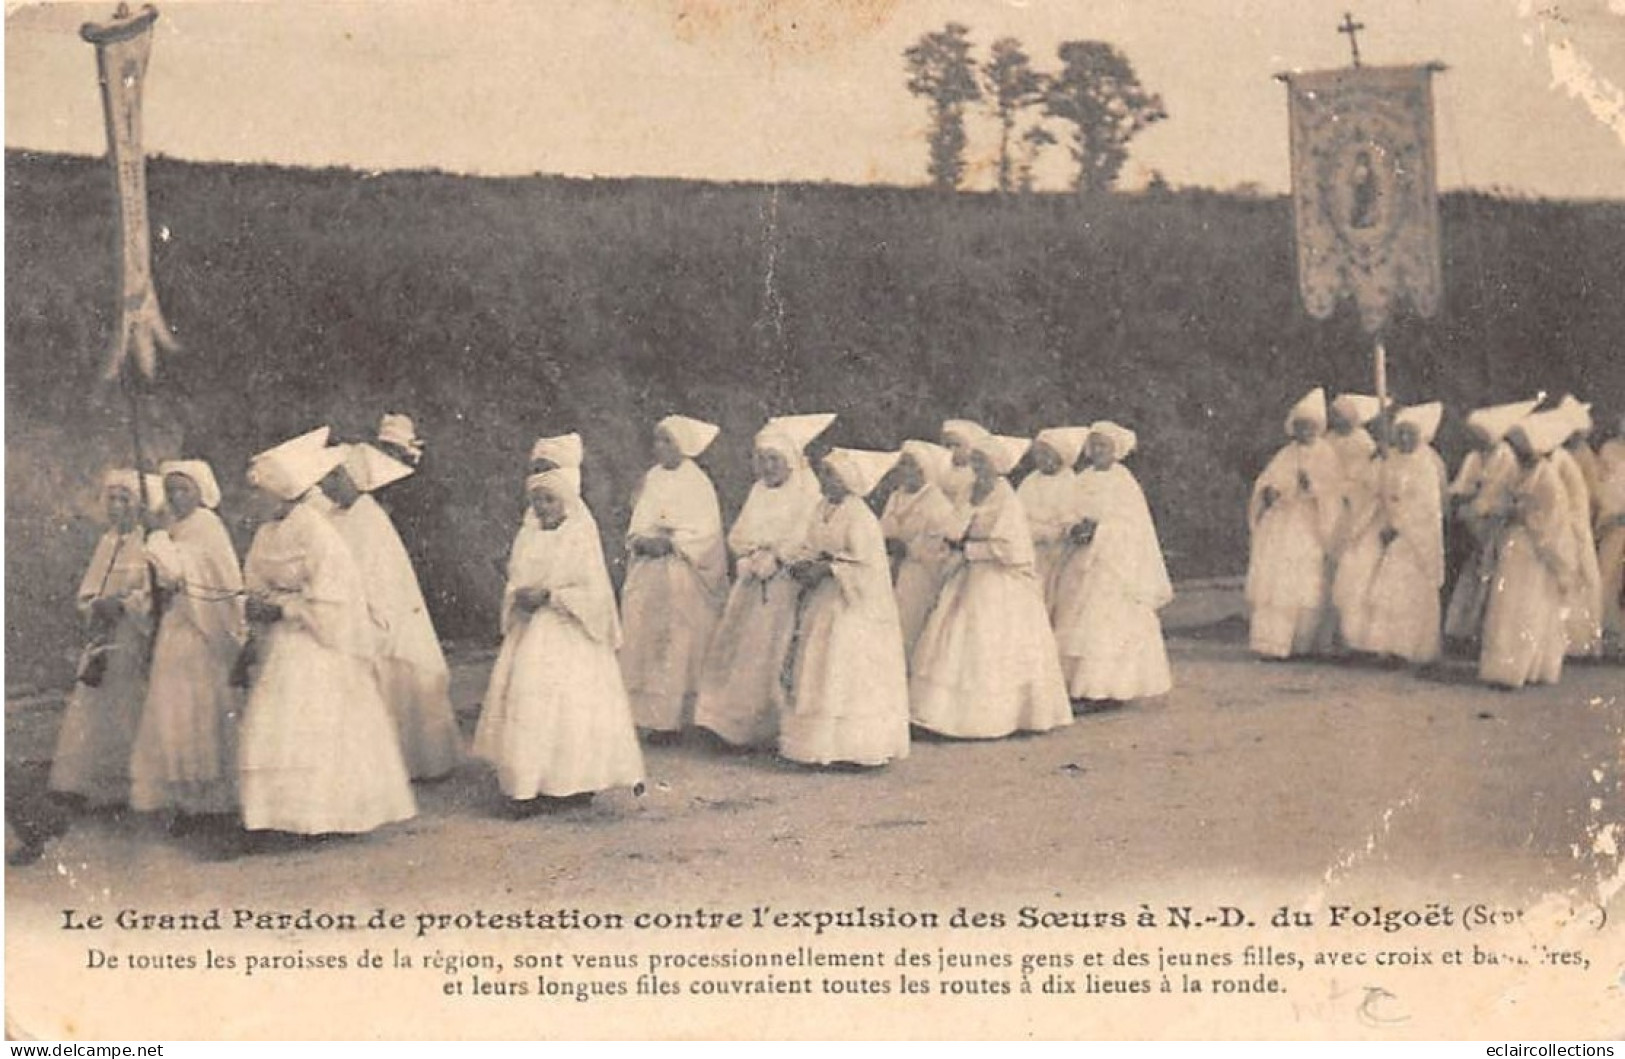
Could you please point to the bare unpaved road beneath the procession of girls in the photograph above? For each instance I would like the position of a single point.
(1296, 780)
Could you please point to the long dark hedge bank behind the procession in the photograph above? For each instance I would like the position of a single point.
(500, 309)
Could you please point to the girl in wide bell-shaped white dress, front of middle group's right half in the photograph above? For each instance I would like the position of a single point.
(986, 665)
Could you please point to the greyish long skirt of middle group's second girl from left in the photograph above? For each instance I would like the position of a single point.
(742, 689)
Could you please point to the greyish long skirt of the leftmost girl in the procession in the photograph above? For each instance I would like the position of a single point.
(100, 725)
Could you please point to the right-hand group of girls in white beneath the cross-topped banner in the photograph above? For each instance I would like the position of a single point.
(1350, 538)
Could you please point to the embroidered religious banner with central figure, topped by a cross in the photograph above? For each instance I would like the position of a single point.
(1364, 191)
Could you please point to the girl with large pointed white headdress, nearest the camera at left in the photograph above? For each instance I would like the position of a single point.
(318, 748)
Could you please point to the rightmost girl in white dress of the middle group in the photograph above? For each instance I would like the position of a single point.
(1112, 582)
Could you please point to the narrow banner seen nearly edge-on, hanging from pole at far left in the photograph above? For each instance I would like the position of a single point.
(123, 48)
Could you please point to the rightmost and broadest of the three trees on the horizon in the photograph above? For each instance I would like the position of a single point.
(1099, 95)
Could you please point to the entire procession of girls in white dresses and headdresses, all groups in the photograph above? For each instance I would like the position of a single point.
(305, 691)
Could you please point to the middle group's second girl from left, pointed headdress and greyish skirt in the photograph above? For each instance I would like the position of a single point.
(742, 691)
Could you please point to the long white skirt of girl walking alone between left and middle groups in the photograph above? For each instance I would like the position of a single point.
(557, 720)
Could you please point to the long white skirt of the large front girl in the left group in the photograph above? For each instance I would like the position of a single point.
(318, 746)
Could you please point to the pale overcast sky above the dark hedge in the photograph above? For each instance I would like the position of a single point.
(805, 90)
